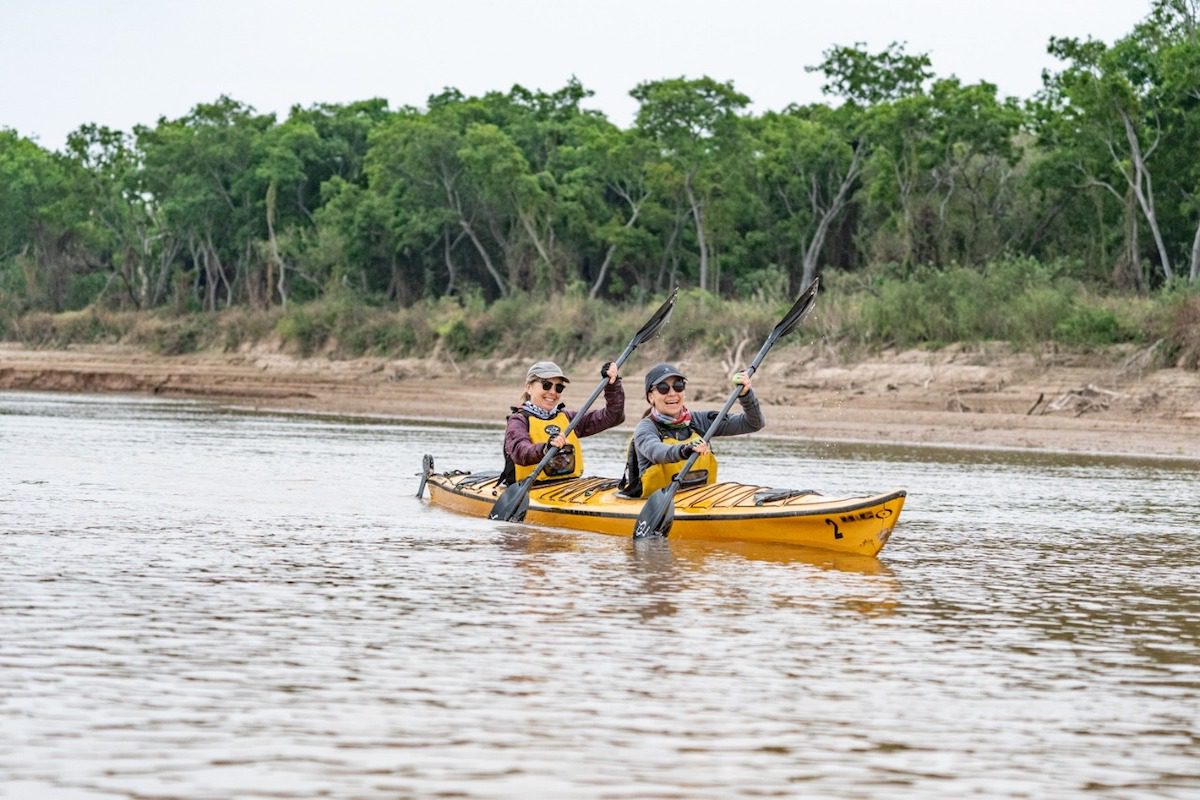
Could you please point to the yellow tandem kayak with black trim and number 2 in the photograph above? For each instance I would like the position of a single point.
(717, 513)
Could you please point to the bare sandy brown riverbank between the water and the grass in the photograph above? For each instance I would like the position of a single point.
(982, 398)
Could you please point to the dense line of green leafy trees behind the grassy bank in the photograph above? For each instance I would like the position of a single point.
(529, 193)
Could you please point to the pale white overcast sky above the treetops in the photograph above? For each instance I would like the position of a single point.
(65, 63)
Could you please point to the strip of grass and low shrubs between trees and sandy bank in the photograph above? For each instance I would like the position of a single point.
(1019, 302)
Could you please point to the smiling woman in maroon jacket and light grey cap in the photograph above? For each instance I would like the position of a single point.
(539, 423)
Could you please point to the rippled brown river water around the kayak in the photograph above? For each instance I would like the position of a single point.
(200, 603)
